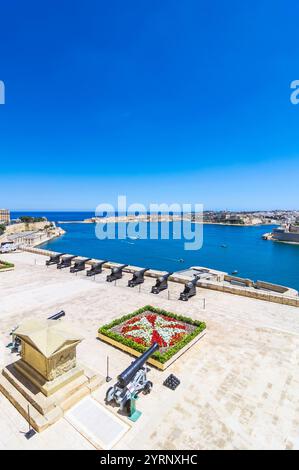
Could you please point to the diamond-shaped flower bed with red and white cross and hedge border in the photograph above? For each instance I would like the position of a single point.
(148, 325)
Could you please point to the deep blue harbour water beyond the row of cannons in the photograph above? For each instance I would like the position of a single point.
(245, 250)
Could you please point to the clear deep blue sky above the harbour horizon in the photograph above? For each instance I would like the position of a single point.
(161, 100)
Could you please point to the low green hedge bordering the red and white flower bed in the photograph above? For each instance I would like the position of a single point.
(106, 331)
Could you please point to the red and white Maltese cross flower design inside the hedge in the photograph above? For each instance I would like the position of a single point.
(151, 328)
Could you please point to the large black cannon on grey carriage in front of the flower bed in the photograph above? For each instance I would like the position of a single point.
(132, 381)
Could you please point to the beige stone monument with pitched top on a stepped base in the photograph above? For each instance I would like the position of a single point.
(47, 377)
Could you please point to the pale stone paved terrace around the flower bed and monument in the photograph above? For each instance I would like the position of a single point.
(239, 384)
